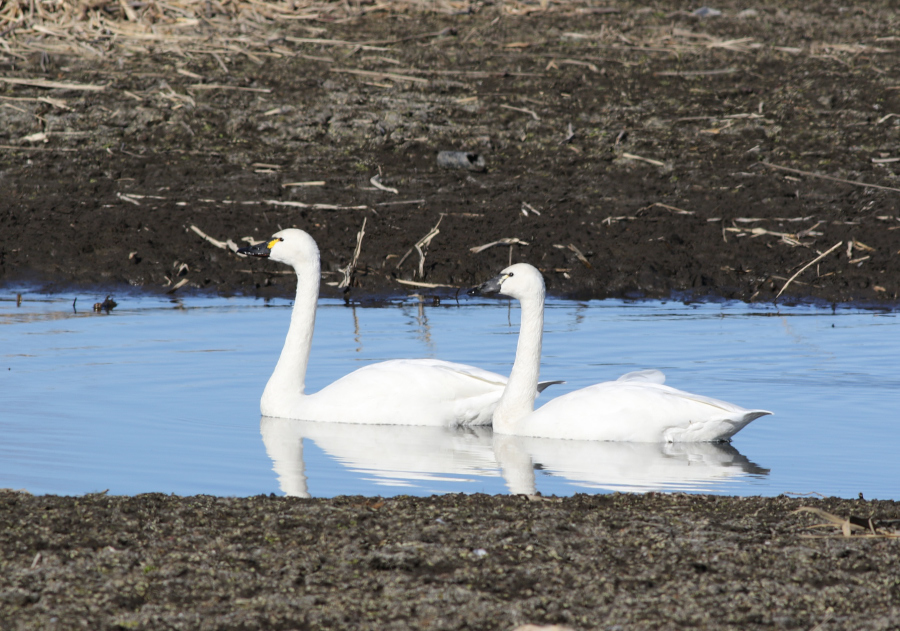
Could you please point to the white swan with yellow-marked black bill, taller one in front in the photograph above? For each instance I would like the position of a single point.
(395, 392)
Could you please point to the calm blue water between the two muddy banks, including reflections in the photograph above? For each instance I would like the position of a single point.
(162, 395)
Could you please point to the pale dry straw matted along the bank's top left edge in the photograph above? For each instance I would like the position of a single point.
(95, 28)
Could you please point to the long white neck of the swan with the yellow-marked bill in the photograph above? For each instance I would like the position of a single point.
(287, 384)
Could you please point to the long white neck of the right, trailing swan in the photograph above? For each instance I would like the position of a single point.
(521, 389)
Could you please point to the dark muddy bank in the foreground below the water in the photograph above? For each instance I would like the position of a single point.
(451, 562)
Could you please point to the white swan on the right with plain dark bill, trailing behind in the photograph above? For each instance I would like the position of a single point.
(637, 407)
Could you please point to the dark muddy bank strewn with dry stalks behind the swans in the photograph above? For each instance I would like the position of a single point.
(630, 150)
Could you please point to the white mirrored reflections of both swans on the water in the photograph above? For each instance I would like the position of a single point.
(422, 454)
